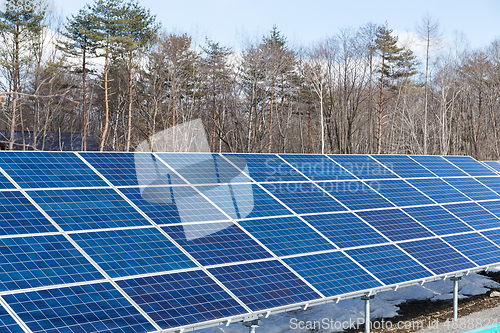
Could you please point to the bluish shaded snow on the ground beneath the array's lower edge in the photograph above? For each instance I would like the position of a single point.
(384, 305)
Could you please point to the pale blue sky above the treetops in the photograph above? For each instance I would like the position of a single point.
(230, 22)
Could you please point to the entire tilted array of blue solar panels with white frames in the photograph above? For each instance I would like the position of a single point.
(141, 242)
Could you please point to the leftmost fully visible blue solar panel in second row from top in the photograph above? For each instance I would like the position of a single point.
(80, 209)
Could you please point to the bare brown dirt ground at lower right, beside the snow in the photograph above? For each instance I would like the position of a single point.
(427, 311)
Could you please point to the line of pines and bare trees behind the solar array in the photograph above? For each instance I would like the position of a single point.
(110, 72)
